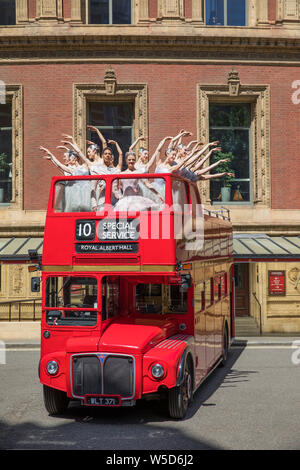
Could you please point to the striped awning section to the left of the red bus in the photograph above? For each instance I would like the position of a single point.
(16, 248)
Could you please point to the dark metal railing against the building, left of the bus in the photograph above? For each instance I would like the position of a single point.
(14, 311)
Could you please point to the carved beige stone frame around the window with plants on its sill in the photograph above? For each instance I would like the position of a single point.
(259, 97)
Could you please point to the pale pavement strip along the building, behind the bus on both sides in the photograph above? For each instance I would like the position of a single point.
(239, 341)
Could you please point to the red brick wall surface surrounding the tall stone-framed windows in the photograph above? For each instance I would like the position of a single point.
(48, 108)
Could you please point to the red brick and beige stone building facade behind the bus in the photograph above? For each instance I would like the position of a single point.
(174, 64)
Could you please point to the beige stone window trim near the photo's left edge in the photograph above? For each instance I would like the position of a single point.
(14, 94)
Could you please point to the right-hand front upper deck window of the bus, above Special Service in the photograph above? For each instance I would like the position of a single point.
(138, 194)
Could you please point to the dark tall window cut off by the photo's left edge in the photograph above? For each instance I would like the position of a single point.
(5, 153)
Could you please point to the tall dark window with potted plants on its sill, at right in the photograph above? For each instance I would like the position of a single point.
(230, 124)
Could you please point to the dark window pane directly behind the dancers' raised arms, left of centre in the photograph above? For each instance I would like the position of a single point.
(115, 122)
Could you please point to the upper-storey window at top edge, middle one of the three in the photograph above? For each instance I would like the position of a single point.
(109, 12)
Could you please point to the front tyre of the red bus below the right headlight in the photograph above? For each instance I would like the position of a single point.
(180, 397)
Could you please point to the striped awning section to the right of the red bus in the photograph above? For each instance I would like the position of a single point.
(246, 245)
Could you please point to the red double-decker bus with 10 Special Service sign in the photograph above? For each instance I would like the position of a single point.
(137, 291)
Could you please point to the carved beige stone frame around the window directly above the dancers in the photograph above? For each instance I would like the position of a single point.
(83, 93)
